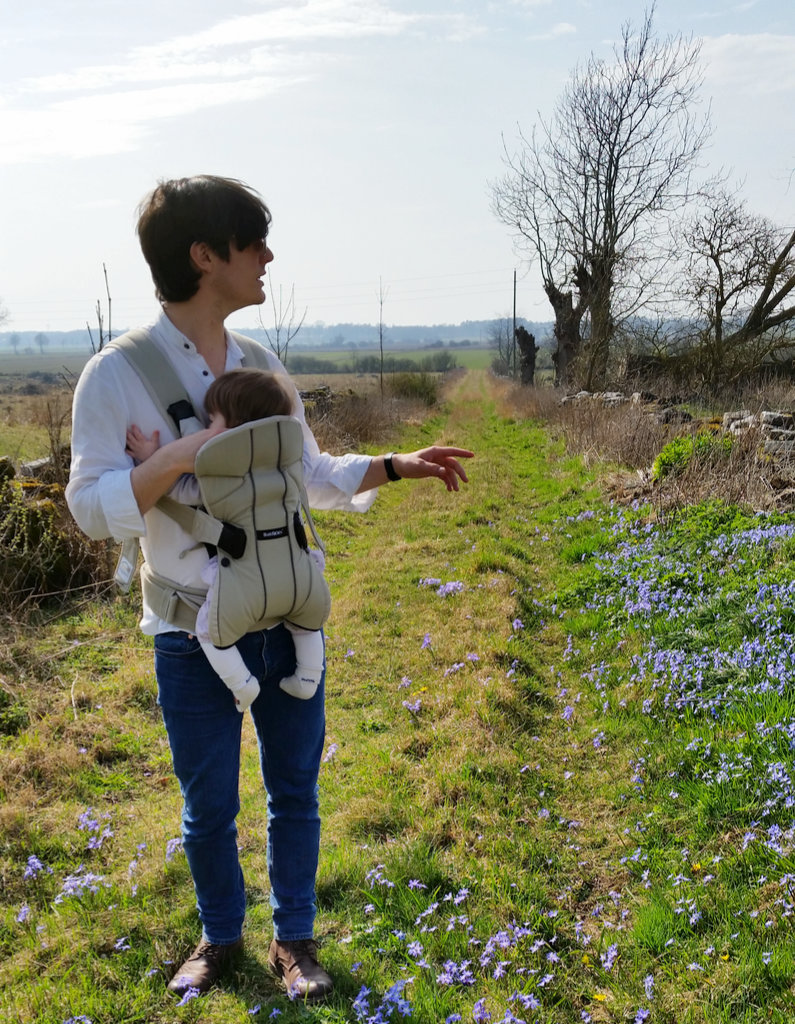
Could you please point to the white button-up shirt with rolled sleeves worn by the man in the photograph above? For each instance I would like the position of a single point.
(110, 398)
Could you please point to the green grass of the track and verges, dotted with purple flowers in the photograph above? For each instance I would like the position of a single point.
(469, 817)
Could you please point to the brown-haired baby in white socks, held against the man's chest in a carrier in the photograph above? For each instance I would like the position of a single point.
(234, 399)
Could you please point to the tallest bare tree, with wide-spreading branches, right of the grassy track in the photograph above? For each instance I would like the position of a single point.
(590, 192)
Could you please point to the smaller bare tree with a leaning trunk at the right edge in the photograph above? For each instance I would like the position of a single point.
(741, 273)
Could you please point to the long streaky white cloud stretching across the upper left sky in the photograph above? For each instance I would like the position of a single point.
(240, 58)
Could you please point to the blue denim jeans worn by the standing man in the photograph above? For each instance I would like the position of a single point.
(204, 733)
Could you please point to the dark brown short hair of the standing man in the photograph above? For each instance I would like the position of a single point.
(218, 211)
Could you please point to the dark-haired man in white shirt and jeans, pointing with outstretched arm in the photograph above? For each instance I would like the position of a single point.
(205, 240)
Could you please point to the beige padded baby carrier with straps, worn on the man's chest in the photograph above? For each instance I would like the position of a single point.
(252, 483)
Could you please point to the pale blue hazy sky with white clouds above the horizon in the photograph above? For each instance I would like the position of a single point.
(372, 129)
